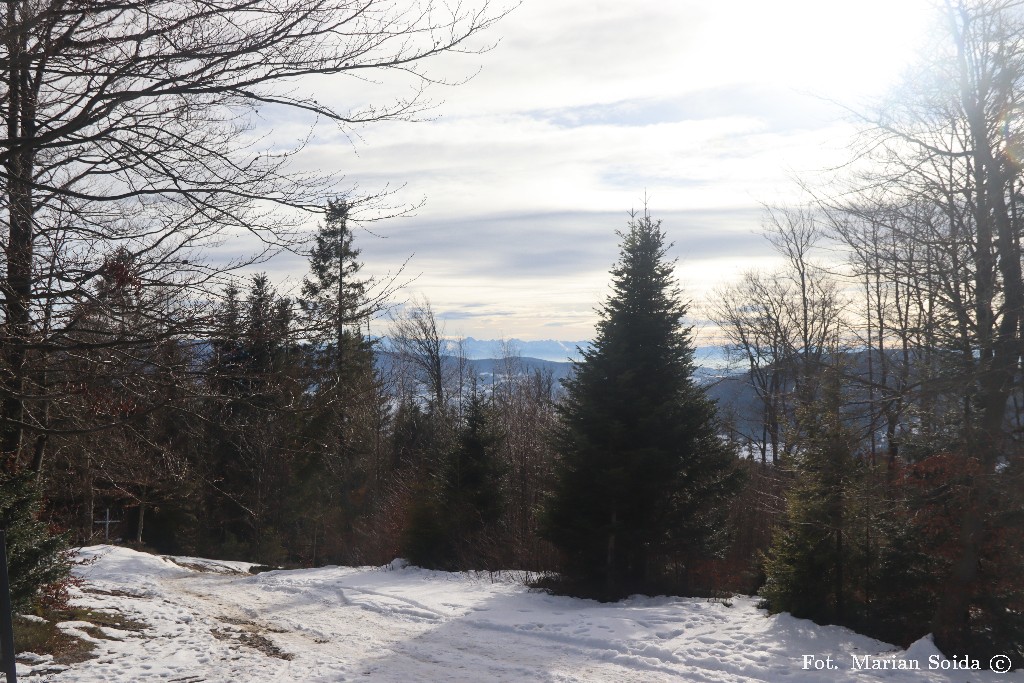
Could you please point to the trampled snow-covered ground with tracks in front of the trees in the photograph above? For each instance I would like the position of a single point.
(211, 622)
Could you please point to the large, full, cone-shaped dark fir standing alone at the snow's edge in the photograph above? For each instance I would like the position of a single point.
(644, 474)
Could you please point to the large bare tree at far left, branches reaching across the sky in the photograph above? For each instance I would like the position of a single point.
(132, 130)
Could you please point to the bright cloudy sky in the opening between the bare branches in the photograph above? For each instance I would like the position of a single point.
(585, 108)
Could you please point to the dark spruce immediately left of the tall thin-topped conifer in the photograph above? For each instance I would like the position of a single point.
(253, 435)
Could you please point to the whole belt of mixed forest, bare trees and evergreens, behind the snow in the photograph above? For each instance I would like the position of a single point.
(874, 478)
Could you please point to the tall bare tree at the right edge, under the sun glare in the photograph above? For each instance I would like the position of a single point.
(952, 142)
